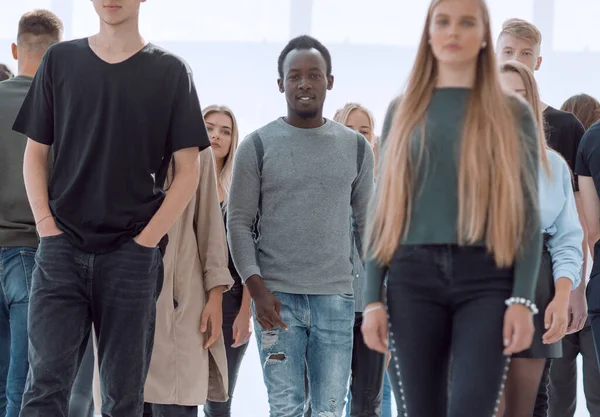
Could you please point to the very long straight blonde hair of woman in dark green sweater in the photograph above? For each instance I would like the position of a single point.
(491, 191)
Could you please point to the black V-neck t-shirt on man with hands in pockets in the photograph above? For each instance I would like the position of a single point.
(113, 129)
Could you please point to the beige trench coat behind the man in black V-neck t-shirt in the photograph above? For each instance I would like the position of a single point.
(182, 372)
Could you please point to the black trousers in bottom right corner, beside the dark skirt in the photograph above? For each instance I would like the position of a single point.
(563, 376)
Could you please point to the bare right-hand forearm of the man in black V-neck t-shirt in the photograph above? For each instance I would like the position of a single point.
(185, 181)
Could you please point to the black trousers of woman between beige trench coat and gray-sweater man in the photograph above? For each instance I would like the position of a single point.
(232, 301)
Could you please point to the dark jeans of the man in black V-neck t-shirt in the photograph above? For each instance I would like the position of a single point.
(70, 289)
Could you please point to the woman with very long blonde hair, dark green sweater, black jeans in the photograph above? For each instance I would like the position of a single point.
(455, 223)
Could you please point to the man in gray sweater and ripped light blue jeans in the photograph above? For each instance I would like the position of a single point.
(305, 176)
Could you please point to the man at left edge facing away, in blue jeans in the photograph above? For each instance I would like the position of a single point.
(38, 30)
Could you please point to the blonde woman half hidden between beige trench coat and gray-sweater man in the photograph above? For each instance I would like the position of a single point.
(237, 317)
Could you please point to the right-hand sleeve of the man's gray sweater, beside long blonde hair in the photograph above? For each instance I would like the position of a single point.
(361, 195)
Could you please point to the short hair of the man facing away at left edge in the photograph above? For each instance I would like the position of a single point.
(39, 29)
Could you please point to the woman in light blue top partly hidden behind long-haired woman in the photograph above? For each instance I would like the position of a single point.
(561, 263)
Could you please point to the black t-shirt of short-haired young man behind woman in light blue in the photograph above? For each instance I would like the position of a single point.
(563, 133)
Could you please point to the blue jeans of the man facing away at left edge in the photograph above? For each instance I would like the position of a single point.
(16, 265)
